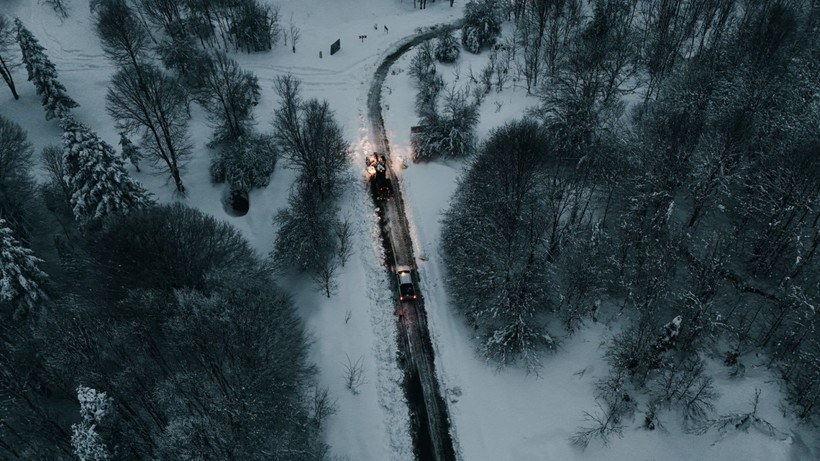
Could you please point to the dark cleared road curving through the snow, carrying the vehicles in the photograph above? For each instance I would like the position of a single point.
(429, 416)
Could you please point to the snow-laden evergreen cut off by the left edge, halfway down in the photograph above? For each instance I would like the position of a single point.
(20, 278)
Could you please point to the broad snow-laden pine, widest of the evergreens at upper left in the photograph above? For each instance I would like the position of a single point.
(99, 183)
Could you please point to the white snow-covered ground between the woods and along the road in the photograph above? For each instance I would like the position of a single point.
(498, 415)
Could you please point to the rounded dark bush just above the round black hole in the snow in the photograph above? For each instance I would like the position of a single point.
(246, 163)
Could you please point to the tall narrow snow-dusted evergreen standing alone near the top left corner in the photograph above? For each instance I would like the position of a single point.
(43, 74)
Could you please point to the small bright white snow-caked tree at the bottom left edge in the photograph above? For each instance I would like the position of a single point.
(85, 440)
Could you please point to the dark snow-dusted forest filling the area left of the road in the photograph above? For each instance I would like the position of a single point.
(134, 330)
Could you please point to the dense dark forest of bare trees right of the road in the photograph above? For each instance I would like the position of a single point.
(668, 174)
